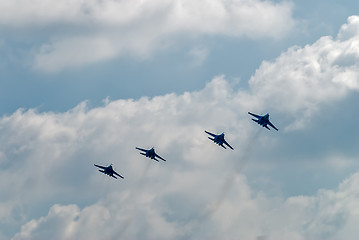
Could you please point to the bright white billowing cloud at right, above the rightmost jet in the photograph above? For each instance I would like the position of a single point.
(305, 77)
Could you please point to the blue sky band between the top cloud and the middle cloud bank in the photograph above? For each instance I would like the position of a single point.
(172, 69)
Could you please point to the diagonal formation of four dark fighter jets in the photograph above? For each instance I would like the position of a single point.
(262, 120)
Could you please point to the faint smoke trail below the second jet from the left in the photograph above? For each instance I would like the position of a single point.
(133, 197)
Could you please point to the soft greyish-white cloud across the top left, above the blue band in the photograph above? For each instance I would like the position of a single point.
(92, 31)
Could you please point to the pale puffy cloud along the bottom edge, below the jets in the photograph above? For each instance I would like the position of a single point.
(330, 214)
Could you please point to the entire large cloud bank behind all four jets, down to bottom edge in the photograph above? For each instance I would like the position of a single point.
(47, 160)
